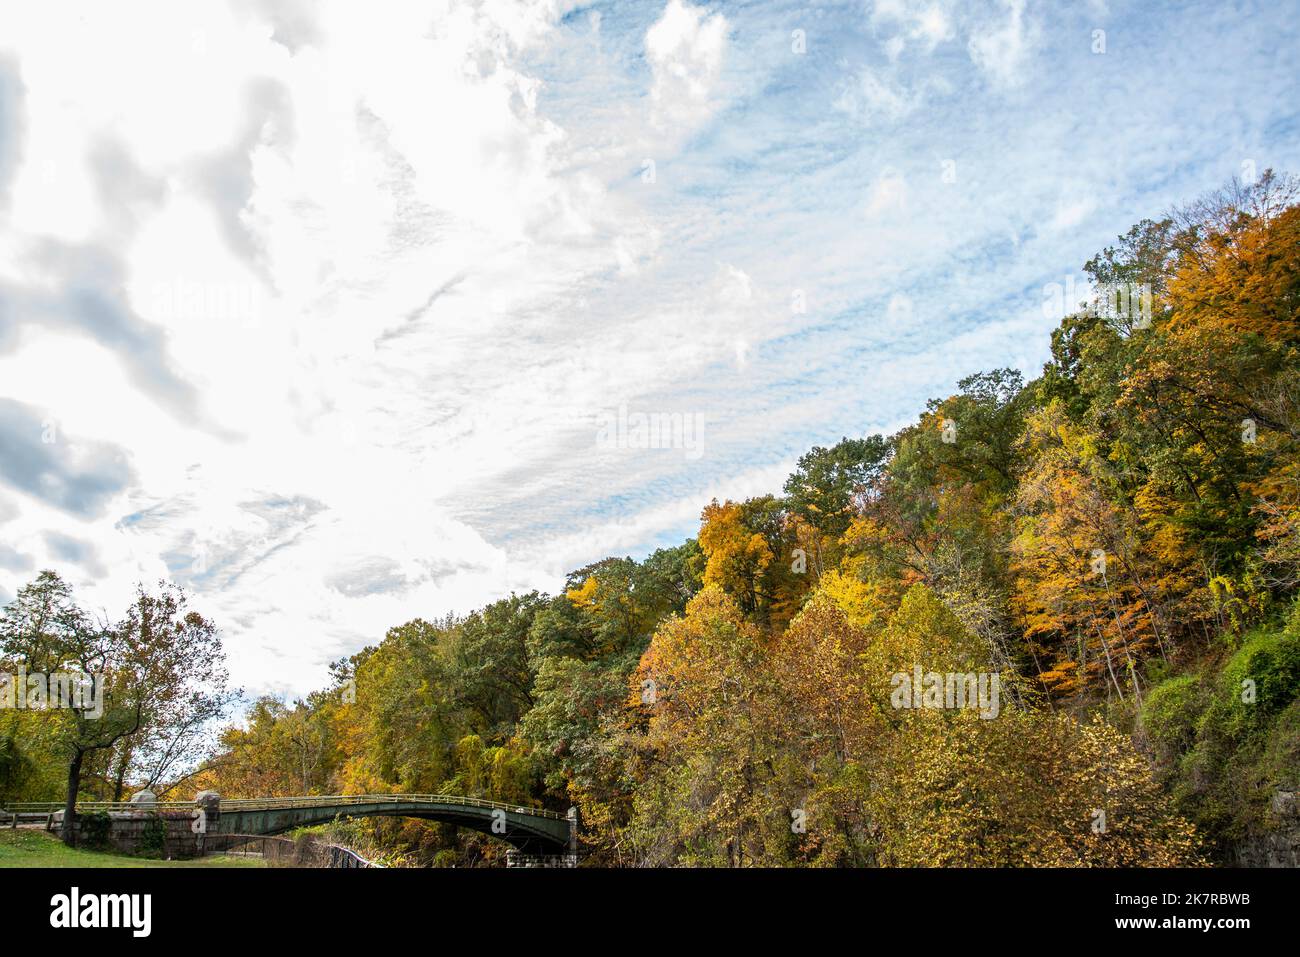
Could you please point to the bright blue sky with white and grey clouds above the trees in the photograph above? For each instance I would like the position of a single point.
(341, 315)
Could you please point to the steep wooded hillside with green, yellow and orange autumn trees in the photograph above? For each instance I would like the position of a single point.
(1116, 542)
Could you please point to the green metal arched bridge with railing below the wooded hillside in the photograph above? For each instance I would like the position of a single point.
(530, 830)
